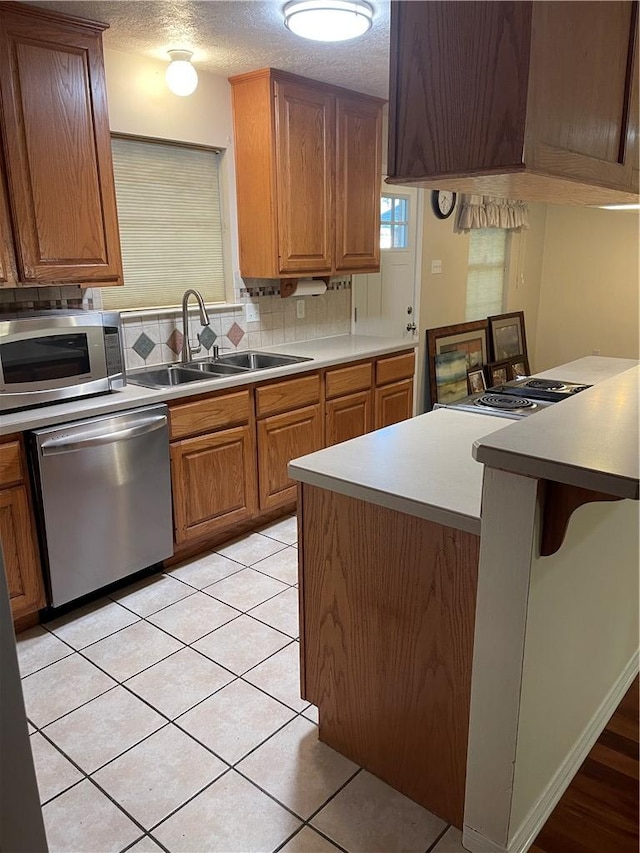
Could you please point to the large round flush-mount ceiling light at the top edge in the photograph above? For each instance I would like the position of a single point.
(328, 20)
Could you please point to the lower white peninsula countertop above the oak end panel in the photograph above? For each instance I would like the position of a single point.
(421, 467)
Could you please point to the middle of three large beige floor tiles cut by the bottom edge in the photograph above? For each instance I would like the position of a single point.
(231, 816)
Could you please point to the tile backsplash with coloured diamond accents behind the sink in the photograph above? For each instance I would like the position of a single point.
(157, 338)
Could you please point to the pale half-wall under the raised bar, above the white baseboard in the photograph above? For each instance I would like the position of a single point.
(581, 634)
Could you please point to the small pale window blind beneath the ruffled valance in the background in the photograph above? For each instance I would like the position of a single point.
(486, 274)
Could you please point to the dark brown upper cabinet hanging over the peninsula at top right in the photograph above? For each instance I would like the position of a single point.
(532, 100)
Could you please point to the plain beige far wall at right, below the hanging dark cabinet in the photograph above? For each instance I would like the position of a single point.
(589, 285)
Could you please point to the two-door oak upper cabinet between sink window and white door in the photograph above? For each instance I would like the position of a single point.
(308, 167)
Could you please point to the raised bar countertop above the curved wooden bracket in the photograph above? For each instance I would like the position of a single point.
(590, 440)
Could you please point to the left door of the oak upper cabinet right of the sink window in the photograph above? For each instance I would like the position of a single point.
(305, 155)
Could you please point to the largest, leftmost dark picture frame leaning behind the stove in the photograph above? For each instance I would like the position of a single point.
(447, 373)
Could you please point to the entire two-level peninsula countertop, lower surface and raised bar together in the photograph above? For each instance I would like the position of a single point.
(424, 466)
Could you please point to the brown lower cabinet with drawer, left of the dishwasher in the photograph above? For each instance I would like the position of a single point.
(17, 532)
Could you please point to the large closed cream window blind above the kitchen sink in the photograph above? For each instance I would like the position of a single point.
(170, 224)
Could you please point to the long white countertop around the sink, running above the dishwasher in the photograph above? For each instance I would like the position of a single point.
(324, 352)
